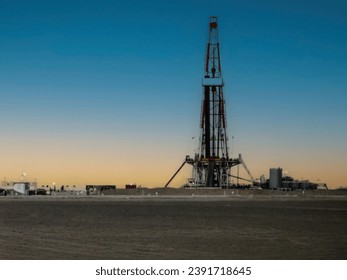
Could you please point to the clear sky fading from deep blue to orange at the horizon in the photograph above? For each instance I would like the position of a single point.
(109, 92)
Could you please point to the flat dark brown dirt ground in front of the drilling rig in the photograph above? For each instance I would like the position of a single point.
(106, 227)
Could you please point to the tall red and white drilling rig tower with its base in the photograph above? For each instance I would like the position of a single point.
(212, 164)
